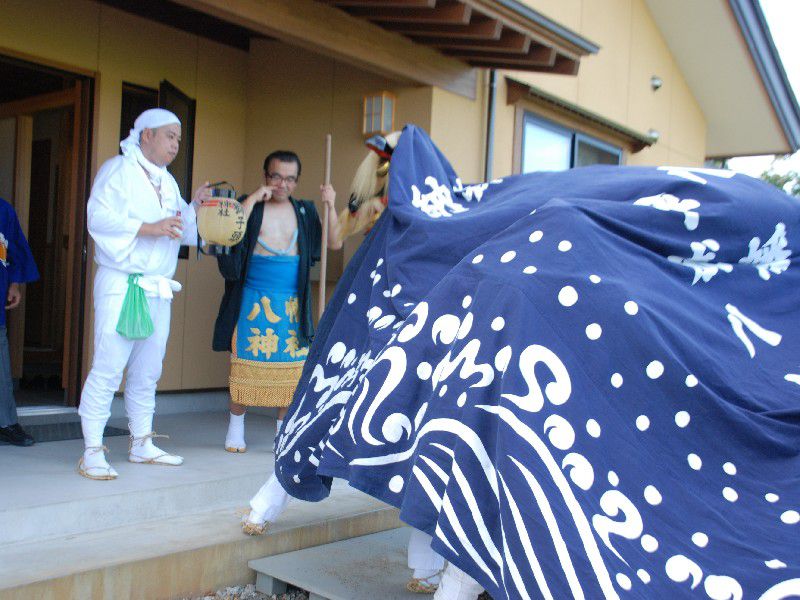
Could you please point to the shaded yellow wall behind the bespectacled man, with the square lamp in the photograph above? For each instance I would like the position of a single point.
(295, 97)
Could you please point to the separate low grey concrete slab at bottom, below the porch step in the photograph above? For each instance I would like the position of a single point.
(361, 568)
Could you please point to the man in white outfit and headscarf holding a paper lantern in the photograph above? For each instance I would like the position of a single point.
(138, 221)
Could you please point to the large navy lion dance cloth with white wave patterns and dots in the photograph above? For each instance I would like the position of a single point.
(582, 384)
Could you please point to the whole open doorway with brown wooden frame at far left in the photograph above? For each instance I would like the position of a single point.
(44, 142)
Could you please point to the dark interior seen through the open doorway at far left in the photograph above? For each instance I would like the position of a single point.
(40, 382)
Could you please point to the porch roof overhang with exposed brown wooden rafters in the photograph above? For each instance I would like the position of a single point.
(501, 34)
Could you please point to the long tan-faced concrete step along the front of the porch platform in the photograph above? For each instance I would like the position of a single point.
(178, 557)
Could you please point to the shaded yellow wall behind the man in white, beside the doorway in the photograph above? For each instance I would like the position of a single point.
(119, 47)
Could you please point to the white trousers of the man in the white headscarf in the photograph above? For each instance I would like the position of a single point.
(112, 355)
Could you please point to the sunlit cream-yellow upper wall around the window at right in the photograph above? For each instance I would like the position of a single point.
(615, 83)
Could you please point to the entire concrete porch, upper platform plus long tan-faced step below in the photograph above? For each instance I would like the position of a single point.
(155, 532)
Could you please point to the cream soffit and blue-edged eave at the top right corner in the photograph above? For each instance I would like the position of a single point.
(726, 54)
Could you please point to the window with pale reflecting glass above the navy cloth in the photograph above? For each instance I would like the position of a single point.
(550, 147)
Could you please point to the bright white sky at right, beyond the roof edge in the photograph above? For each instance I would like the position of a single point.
(783, 17)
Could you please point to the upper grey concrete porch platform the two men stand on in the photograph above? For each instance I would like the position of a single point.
(44, 497)
